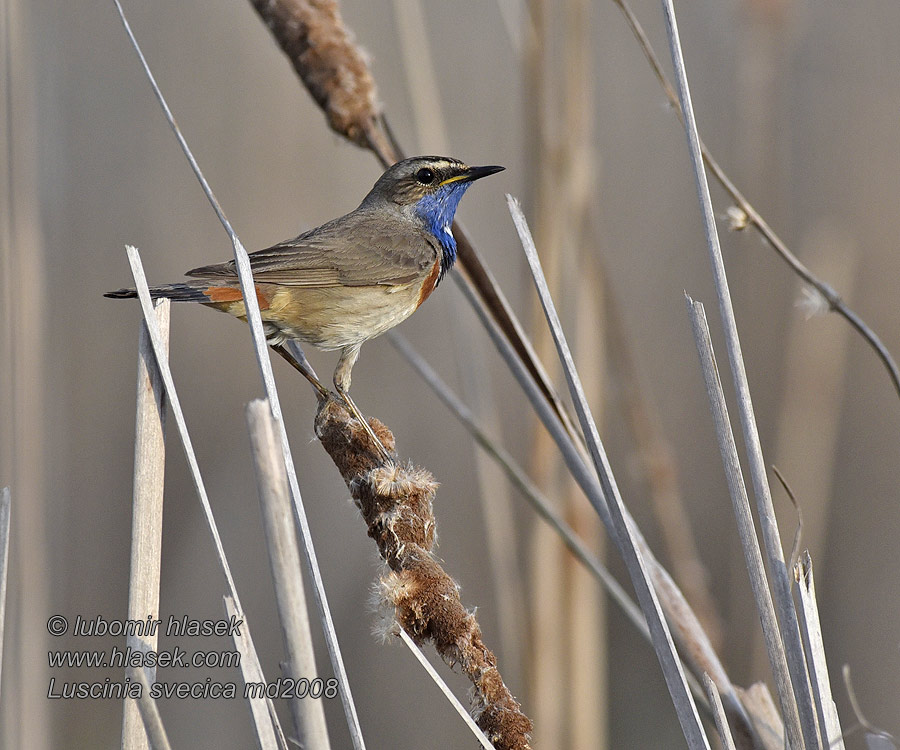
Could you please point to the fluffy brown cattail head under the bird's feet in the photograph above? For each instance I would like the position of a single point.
(395, 503)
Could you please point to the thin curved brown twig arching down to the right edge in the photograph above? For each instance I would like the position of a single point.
(752, 217)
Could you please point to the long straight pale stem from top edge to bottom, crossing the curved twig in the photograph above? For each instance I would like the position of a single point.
(787, 615)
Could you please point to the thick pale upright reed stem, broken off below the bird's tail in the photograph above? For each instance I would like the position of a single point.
(147, 509)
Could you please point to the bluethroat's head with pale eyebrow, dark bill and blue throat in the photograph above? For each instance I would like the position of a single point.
(429, 188)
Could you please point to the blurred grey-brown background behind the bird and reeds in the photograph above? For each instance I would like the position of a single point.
(800, 104)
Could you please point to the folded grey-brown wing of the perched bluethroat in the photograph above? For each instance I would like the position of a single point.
(359, 249)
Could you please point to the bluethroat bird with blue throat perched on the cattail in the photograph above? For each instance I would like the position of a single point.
(353, 278)
